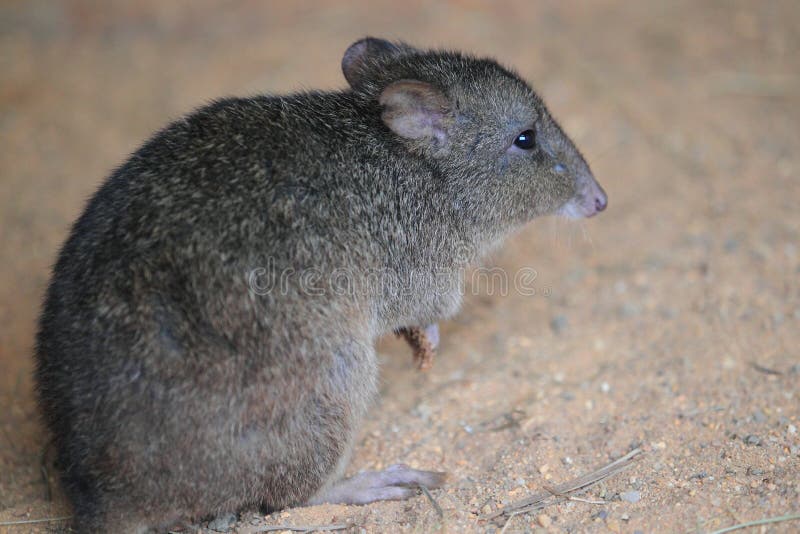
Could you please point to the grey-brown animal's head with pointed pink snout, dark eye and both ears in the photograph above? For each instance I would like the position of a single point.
(502, 156)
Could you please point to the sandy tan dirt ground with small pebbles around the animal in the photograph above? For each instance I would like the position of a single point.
(669, 323)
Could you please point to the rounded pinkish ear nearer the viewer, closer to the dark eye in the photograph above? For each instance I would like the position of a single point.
(415, 110)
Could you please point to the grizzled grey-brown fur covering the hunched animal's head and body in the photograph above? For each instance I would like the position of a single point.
(172, 389)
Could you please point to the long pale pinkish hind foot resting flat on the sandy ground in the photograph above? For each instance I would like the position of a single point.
(395, 483)
